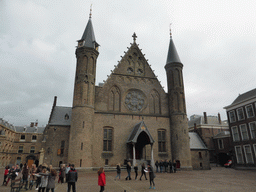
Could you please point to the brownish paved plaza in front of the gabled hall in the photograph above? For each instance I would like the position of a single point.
(216, 179)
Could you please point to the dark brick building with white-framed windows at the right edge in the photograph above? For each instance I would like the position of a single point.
(242, 124)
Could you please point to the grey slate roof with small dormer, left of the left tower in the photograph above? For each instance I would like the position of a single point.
(61, 116)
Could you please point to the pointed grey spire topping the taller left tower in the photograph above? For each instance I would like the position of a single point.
(88, 38)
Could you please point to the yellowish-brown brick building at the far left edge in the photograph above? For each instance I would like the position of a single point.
(20, 144)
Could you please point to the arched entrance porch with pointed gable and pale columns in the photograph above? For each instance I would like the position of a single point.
(140, 144)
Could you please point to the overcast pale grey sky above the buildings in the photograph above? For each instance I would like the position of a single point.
(216, 42)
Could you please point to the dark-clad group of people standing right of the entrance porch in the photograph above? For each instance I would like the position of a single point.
(165, 166)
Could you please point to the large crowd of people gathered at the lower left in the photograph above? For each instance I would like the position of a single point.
(44, 176)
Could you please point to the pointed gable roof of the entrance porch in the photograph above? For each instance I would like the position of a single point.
(137, 129)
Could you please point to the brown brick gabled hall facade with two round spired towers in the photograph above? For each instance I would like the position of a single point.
(130, 104)
